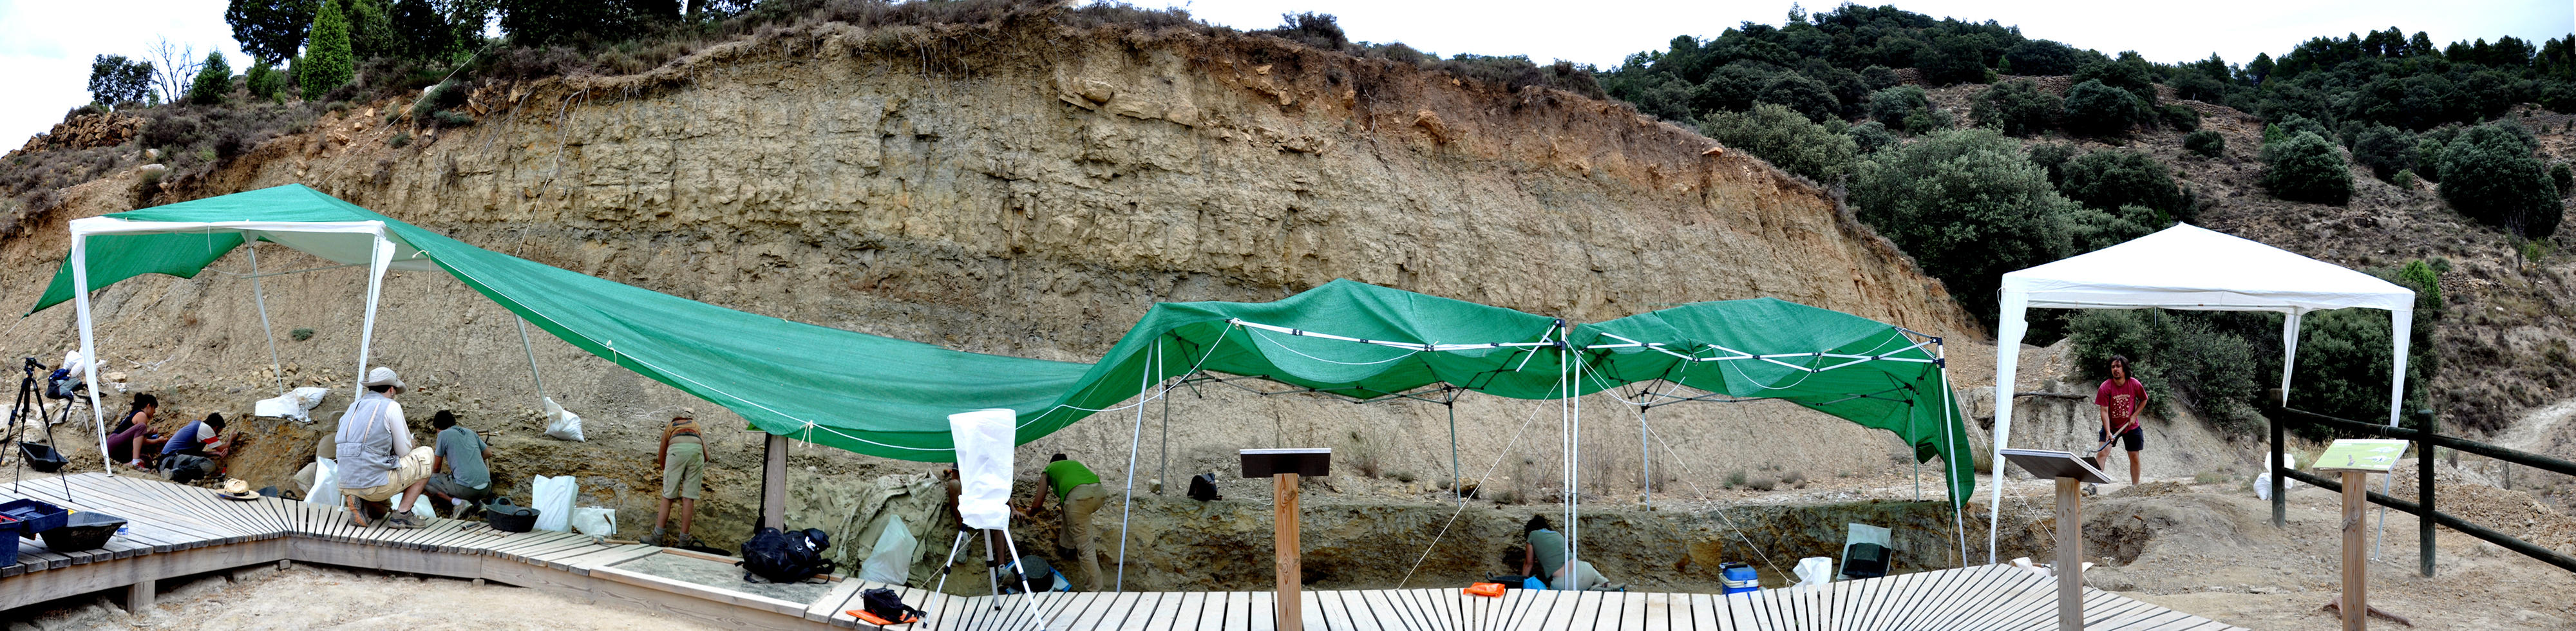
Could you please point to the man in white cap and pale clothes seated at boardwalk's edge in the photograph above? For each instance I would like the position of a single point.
(377, 455)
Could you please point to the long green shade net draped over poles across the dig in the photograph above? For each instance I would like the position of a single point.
(893, 398)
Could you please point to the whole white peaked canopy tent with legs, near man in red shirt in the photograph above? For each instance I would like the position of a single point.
(2188, 269)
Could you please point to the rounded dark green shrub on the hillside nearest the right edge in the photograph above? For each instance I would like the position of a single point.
(2492, 179)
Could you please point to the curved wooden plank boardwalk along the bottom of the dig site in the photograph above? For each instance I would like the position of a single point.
(179, 532)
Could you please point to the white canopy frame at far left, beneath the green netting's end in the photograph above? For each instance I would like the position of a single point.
(346, 243)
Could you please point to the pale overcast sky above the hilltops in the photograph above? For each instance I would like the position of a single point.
(48, 45)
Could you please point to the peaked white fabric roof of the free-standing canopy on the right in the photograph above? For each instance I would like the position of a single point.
(2201, 269)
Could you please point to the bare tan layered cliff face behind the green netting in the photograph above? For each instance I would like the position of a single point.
(1019, 189)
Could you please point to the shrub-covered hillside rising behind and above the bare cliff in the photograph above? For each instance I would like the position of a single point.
(1964, 143)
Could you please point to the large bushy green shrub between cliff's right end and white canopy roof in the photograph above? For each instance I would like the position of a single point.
(1969, 207)
